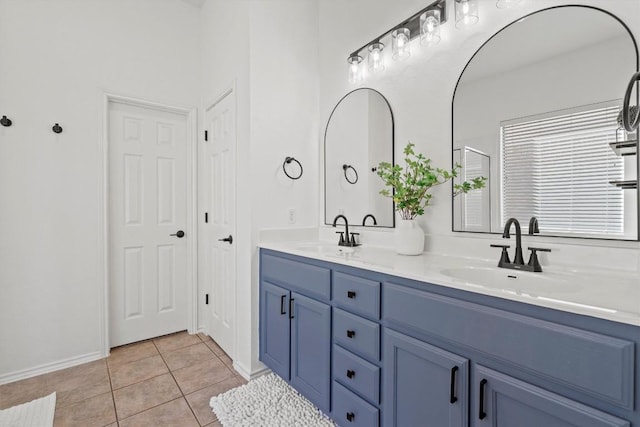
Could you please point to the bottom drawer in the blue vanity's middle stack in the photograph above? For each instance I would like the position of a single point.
(350, 410)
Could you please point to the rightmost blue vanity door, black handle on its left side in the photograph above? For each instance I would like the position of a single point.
(502, 401)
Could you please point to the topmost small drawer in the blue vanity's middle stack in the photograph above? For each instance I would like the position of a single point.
(357, 295)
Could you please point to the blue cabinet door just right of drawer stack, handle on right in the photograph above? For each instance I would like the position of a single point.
(423, 384)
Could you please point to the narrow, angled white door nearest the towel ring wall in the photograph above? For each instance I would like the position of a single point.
(219, 187)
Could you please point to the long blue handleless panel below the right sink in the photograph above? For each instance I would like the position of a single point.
(590, 363)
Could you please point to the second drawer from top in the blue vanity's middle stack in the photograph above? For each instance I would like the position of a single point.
(356, 334)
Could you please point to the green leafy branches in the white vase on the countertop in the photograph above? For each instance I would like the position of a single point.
(411, 185)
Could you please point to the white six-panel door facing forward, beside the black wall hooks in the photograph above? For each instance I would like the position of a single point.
(147, 214)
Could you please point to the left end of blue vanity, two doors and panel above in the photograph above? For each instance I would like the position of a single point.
(295, 325)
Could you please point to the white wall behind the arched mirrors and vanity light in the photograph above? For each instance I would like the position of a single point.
(420, 91)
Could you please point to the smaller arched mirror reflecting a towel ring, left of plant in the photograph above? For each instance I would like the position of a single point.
(359, 135)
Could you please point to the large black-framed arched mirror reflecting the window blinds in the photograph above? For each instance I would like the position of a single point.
(535, 110)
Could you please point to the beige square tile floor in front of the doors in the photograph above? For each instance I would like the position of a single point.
(165, 381)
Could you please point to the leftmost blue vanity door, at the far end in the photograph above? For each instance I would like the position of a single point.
(274, 329)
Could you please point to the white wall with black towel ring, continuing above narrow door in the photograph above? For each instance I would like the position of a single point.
(269, 48)
